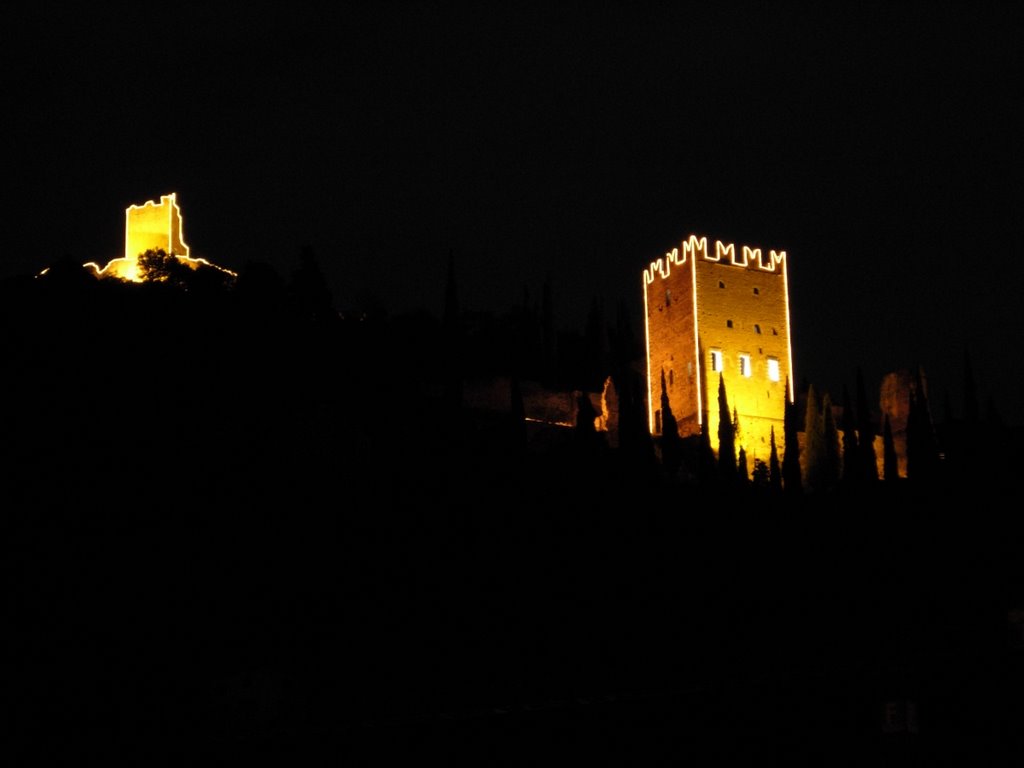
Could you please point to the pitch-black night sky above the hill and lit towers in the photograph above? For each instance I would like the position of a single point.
(879, 145)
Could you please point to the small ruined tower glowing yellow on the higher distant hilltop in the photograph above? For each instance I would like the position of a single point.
(152, 227)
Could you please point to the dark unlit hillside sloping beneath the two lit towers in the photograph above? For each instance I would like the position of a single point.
(239, 520)
